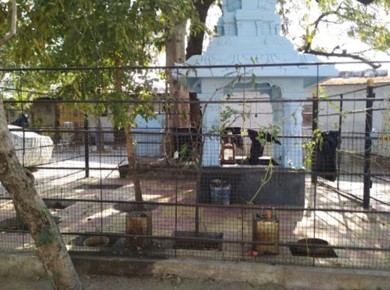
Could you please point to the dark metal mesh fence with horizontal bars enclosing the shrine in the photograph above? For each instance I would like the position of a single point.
(334, 212)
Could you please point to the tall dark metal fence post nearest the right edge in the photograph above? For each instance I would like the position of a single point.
(368, 144)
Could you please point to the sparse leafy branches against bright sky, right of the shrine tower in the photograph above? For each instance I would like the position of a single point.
(365, 22)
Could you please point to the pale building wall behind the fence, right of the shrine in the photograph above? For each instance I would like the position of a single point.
(354, 115)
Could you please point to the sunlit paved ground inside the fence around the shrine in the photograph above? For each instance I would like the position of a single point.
(344, 230)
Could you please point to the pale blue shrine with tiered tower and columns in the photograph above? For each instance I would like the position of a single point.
(249, 34)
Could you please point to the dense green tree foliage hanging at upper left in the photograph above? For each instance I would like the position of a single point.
(72, 34)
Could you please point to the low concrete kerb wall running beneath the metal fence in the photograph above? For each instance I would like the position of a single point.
(258, 274)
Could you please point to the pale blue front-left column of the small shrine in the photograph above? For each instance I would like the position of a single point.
(211, 140)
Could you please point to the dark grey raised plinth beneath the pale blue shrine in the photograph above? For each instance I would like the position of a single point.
(284, 187)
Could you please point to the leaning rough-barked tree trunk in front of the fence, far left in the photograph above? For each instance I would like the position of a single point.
(19, 183)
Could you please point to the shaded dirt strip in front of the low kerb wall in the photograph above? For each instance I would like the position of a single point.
(144, 283)
